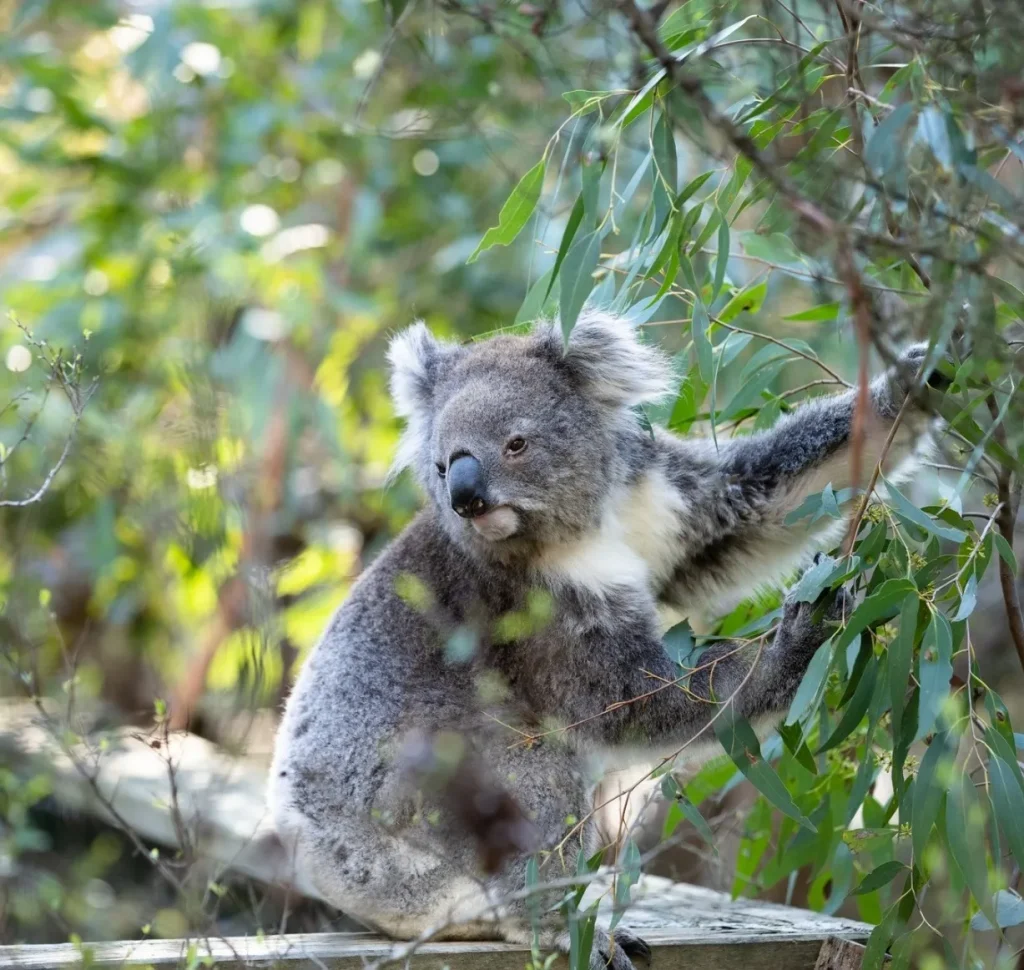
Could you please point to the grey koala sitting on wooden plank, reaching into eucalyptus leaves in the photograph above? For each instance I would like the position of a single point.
(557, 526)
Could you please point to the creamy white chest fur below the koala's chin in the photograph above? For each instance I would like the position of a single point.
(635, 545)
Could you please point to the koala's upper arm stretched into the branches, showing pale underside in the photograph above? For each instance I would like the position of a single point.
(734, 500)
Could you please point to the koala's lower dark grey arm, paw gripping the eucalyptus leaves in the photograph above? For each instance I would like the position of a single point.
(630, 696)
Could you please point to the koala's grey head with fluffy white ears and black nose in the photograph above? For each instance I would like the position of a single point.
(519, 440)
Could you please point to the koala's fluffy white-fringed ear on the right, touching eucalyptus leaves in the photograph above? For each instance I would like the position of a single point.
(616, 367)
